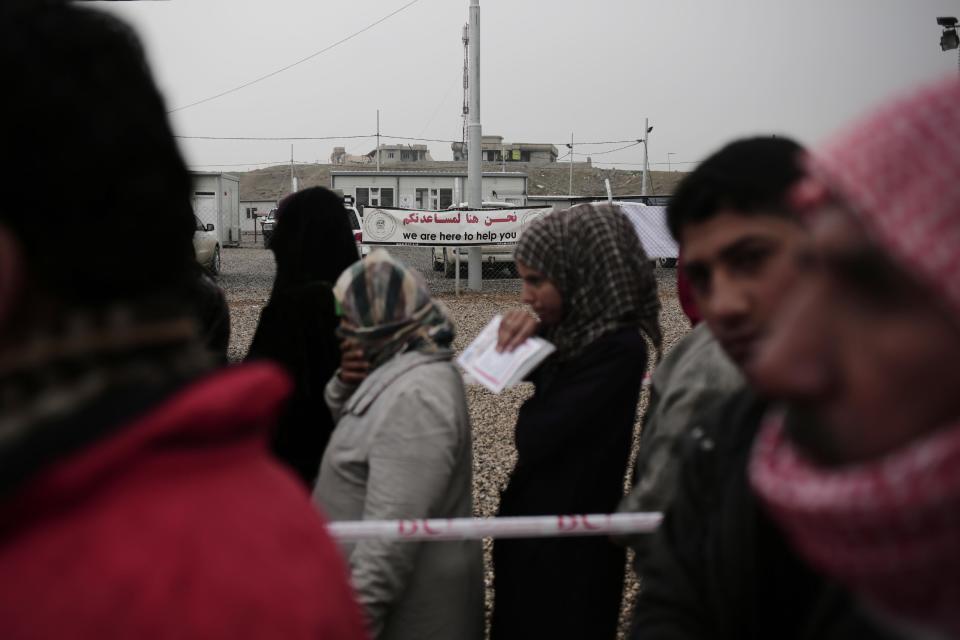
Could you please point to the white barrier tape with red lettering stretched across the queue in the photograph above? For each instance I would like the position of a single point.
(513, 527)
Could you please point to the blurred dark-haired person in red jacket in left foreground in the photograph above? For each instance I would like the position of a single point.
(137, 498)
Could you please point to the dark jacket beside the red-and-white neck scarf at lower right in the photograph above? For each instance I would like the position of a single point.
(719, 567)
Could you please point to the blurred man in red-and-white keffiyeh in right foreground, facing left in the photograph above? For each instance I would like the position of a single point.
(841, 517)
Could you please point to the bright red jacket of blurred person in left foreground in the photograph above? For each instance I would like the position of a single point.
(178, 526)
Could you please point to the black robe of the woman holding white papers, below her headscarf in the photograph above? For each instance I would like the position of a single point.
(573, 440)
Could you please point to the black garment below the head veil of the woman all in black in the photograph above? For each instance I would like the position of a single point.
(297, 331)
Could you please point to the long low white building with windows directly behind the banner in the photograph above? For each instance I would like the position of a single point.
(425, 189)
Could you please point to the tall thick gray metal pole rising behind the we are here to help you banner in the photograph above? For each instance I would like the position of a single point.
(474, 167)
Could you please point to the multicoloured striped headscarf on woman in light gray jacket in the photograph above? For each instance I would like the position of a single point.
(390, 310)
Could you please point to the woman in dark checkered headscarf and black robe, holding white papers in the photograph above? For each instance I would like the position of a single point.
(592, 286)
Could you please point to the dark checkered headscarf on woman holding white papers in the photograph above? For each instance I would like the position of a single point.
(591, 253)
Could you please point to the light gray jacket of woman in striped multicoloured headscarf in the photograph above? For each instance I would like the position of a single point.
(402, 449)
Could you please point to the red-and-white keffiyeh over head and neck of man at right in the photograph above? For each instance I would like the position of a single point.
(887, 529)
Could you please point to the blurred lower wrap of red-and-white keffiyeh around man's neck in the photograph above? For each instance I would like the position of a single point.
(888, 529)
